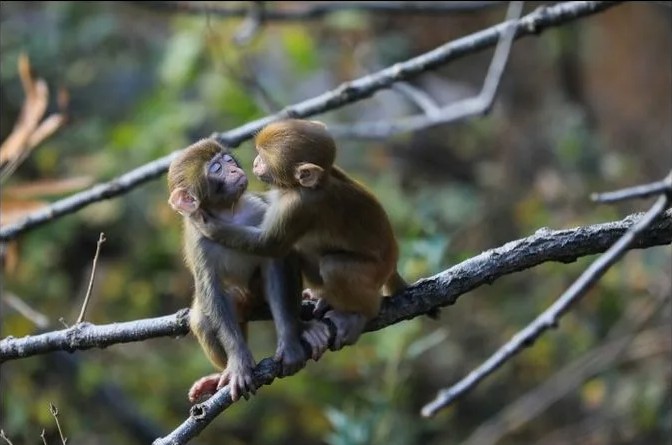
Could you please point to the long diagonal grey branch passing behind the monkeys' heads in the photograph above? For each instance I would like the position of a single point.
(541, 19)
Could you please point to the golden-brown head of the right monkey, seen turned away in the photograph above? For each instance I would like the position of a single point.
(294, 152)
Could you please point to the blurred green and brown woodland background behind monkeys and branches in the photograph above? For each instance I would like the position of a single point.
(582, 108)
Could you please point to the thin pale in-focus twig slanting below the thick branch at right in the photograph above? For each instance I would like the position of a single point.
(550, 317)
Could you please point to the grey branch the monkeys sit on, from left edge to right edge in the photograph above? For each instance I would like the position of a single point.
(428, 293)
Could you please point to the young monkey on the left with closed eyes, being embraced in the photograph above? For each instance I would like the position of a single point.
(207, 184)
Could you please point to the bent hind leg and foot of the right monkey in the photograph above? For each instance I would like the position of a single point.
(351, 287)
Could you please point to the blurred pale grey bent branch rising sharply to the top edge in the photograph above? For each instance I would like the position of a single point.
(461, 110)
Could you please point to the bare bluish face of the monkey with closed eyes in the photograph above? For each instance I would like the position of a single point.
(226, 181)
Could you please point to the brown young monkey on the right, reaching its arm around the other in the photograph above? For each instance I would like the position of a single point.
(341, 231)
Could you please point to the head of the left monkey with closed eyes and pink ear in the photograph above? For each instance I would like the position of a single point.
(204, 177)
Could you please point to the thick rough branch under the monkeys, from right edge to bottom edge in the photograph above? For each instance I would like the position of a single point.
(444, 288)
